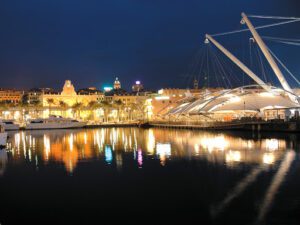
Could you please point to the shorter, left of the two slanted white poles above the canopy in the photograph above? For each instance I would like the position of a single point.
(238, 62)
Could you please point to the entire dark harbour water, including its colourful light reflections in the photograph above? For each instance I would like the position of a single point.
(149, 176)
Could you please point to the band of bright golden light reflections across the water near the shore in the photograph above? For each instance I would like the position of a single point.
(71, 146)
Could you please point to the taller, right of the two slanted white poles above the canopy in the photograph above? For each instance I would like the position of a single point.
(269, 57)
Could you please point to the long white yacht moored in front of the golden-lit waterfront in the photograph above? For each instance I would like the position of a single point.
(53, 122)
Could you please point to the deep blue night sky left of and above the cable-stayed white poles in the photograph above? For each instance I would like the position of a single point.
(44, 42)
